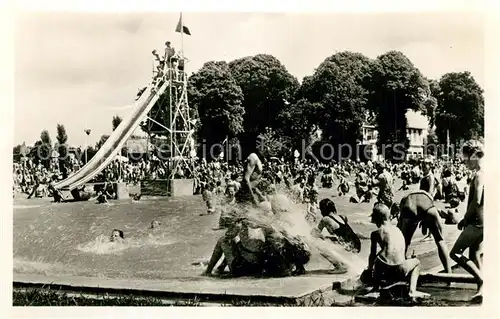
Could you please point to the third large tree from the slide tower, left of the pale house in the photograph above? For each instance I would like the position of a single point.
(338, 88)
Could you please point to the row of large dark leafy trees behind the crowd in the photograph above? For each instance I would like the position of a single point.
(245, 96)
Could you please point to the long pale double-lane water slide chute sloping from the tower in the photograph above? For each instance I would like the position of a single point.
(114, 143)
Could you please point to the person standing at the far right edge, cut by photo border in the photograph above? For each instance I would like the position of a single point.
(471, 225)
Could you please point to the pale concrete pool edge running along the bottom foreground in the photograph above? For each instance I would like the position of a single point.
(287, 290)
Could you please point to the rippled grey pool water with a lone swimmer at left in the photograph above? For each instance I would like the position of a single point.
(58, 239)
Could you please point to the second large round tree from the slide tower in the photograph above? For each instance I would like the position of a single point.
(267, 87)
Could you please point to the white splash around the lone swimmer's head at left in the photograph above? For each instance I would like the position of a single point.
(102, 246)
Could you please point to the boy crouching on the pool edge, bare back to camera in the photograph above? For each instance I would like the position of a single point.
(390, 265)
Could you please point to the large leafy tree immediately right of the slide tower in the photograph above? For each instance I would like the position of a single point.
(213, 92)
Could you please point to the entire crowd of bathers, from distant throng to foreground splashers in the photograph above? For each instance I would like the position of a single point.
(254, 183)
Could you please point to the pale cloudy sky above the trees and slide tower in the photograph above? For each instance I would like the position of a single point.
(80, 69)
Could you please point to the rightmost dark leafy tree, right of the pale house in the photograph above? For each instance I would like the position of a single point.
(460, 108)
